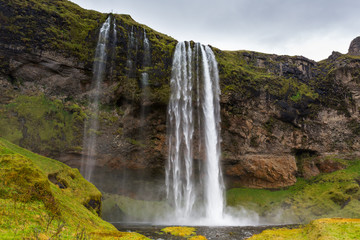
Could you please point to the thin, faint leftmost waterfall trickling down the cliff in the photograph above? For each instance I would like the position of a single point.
(92, 124)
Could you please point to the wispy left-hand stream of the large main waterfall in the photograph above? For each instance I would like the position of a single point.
(179, 173)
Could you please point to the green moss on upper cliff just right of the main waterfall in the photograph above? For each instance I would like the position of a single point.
(243, 77)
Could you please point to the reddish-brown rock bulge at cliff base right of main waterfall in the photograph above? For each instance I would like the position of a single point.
(262, 171)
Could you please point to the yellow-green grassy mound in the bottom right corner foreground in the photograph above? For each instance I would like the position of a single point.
(321, 229)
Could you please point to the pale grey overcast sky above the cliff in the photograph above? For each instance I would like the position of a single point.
(310, 28)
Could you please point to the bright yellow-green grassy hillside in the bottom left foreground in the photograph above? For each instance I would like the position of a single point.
(41, 198)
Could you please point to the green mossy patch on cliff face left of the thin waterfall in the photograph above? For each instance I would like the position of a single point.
(41, 124)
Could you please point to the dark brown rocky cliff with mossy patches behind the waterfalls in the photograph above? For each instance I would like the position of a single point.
(276, 110)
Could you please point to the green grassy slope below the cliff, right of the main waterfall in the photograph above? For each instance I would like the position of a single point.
(324, 196)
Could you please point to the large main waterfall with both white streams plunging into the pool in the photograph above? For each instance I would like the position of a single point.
(195, 190)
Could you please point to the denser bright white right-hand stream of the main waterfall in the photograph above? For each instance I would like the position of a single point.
(214, 188)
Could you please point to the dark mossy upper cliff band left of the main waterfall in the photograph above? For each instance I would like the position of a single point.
(65, 28)
